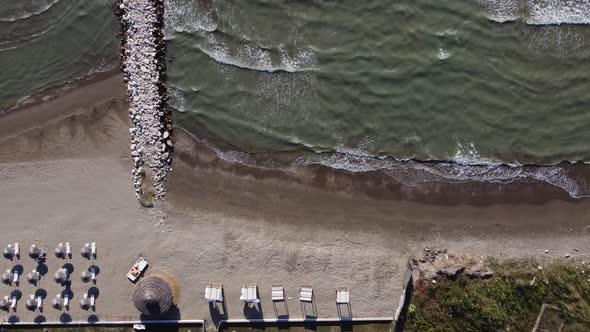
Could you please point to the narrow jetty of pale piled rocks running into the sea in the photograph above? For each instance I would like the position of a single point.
(143, 62)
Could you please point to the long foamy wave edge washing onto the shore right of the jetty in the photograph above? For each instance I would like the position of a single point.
(416, 173)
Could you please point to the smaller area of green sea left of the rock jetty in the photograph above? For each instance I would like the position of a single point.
(44, 43)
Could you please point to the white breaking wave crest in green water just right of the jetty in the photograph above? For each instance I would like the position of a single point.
(248, 56)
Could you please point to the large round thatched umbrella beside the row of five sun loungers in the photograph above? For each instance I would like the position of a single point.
(153, 296)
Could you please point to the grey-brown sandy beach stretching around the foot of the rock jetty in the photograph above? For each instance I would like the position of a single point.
(65, 175)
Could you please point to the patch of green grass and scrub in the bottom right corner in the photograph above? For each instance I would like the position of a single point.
(510, 301)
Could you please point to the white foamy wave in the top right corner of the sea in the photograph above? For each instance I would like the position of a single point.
(538, 12)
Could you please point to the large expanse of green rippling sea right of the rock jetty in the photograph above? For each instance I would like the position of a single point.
(430, 80)
